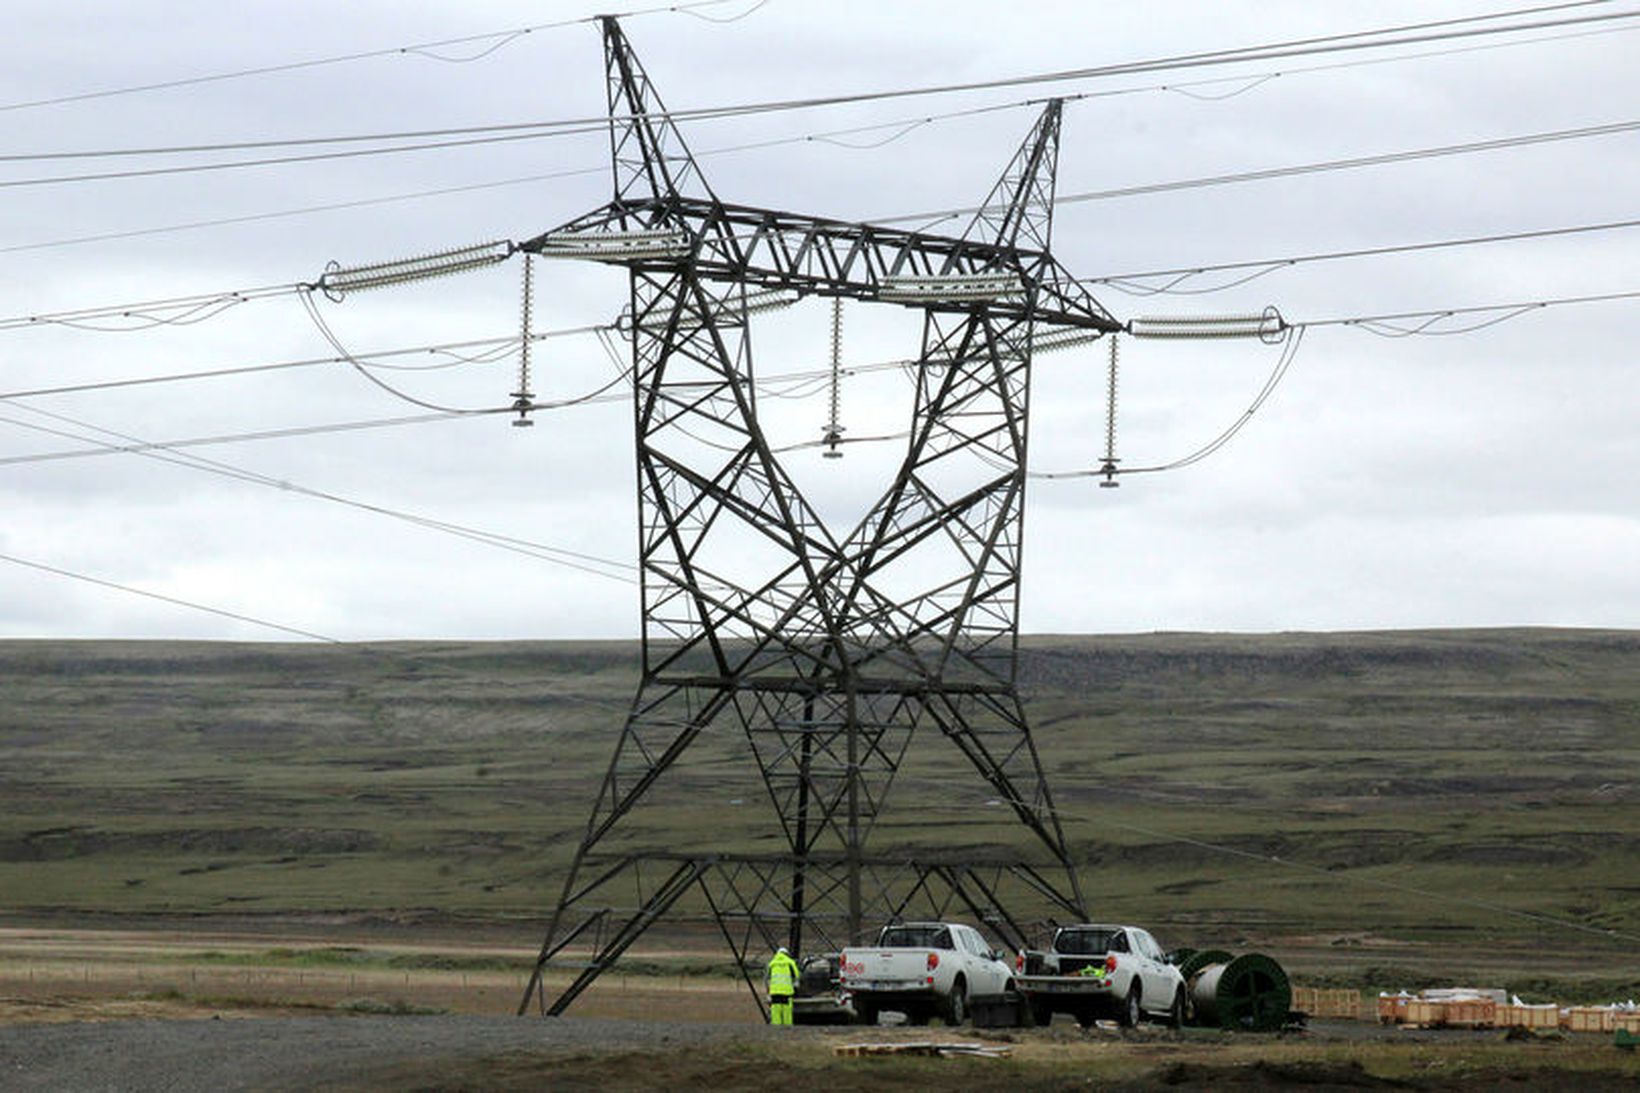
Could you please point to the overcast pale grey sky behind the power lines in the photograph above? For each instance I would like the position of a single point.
(1467, 480)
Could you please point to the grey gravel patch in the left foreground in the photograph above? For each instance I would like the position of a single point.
(307, 1053)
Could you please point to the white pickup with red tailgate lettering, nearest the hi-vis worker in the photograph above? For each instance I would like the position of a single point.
(922, 969)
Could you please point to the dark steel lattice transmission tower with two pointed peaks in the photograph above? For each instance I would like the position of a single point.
(827, 651)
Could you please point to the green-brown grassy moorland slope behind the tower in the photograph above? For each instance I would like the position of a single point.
(1349, 787)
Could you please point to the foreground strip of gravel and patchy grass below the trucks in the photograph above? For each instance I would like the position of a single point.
(476, 1053)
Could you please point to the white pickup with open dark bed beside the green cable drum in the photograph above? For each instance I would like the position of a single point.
(1096, 971)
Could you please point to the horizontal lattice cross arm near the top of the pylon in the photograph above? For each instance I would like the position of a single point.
(808, 255)
